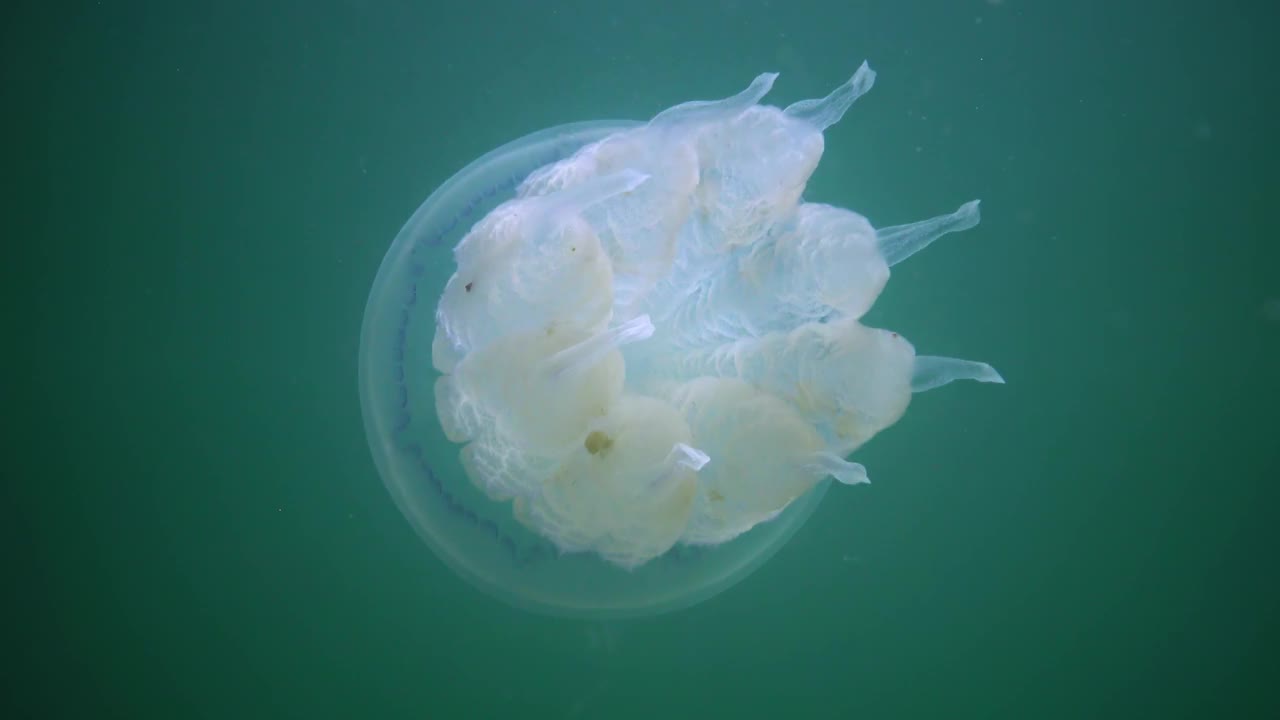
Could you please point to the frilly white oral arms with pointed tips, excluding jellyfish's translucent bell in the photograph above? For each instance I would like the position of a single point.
(657, 341)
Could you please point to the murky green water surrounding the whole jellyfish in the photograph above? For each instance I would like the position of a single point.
(198, 200)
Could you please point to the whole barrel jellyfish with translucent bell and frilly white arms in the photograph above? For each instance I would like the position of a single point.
(646, 358)
